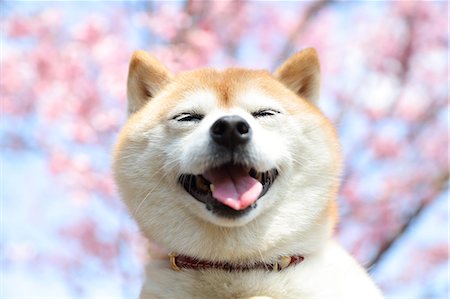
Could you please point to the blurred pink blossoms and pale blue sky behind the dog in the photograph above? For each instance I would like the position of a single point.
(64, 231)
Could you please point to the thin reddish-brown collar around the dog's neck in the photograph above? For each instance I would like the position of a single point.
(178, 262)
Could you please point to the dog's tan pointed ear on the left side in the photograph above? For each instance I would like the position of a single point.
(146, 77)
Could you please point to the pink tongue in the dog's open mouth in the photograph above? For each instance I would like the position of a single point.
(234, 187)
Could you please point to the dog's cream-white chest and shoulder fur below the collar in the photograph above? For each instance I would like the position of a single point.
(328, 274)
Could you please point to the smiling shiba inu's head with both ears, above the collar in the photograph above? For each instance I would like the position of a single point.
(214, 151)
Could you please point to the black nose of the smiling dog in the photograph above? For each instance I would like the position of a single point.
(230, 131)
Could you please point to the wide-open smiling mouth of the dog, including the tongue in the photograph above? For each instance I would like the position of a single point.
(229, 190)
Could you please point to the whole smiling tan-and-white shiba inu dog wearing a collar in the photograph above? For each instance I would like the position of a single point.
(234, 174)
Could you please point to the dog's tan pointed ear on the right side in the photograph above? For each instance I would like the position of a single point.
(301, 74)
